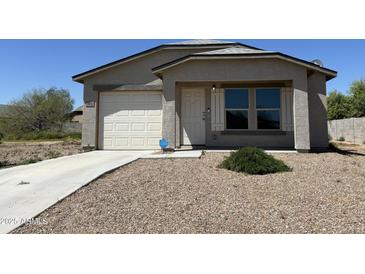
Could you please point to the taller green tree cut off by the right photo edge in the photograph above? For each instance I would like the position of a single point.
(357, 93)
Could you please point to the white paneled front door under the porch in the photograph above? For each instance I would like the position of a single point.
(192, 116)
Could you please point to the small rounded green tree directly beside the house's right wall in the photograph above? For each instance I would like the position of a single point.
(338, 106)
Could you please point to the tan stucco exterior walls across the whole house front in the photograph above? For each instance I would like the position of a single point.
(308, 94)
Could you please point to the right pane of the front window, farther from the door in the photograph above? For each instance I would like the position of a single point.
(268, 108)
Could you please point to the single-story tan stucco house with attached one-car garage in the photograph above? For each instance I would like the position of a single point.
(206, 93)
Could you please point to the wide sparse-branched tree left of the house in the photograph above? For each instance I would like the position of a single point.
(38, 110)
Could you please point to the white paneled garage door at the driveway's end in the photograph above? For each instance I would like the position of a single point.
(130, 120)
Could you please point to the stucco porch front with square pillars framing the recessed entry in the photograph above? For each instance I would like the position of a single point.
(227, 70)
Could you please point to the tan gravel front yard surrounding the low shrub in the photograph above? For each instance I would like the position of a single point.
(325, 193)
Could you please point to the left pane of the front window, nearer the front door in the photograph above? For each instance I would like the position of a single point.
(236, 108)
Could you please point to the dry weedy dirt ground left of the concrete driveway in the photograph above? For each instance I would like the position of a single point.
(17, 153)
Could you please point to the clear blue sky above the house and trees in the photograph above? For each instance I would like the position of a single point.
(27, 64)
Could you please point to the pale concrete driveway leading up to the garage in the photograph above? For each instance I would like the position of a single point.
(26, 191)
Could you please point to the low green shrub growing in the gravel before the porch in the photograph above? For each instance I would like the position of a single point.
(253, 160)
